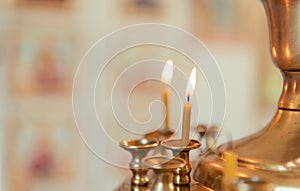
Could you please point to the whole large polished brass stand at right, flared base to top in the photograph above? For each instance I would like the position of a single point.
(272, 154)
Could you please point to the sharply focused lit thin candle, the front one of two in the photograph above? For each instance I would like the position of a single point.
(187, 108)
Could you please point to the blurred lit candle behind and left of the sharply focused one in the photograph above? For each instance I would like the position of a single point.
(166, 77)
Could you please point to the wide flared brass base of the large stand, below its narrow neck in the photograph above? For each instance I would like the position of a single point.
(273, 155)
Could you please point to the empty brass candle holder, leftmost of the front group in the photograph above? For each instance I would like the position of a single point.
(139, 149)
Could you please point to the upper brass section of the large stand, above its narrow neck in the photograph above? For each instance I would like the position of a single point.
(283, 20)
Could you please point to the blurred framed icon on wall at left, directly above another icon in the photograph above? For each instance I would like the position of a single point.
(42, 62)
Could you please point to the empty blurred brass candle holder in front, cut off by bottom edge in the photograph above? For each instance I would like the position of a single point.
(164, 169)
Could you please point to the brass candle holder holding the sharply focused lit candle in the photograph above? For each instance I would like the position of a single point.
(181, 175)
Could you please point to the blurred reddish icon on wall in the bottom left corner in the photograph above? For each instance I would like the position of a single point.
(41, 153)
